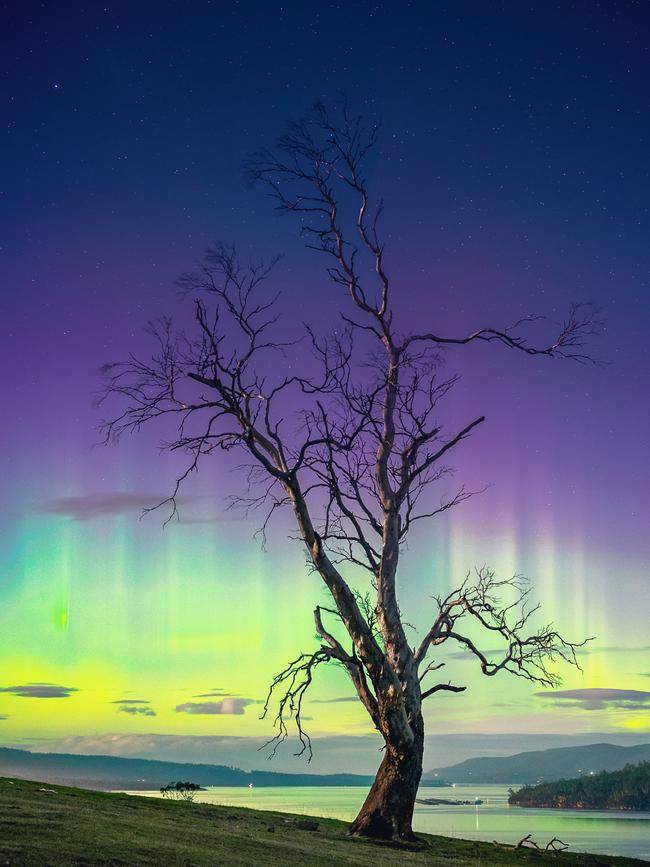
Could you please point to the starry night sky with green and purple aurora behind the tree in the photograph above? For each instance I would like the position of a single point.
(513, 161)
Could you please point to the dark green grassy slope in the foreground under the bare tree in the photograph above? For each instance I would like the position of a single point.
(75, 826)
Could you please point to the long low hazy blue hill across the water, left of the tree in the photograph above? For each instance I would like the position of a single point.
(111, 772)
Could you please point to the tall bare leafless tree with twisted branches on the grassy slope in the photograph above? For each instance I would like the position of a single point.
(357, 462)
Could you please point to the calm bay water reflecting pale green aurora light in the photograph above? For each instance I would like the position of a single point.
(601, 832)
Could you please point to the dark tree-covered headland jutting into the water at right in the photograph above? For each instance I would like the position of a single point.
(628, 789)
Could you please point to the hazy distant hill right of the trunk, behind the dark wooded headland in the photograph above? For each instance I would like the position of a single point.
(543, 765)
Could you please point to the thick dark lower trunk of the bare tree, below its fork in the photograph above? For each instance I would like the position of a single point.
(388, 810)
